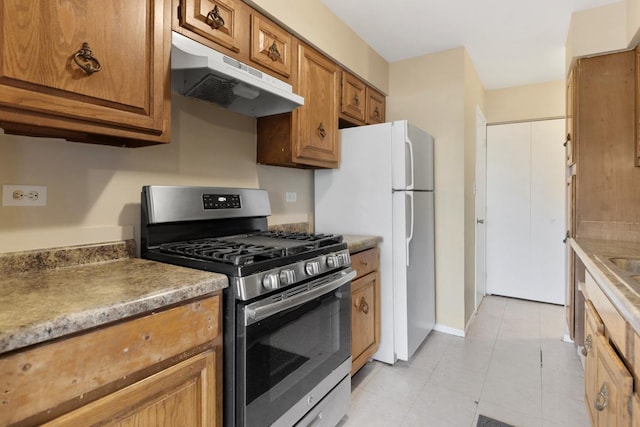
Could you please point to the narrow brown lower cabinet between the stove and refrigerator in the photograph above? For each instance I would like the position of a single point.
(365, 307)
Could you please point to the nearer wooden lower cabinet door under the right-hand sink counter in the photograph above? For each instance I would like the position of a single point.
(614, 388)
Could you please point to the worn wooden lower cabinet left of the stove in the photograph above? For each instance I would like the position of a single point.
(164, 368)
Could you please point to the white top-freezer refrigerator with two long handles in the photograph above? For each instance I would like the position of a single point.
(384, 187)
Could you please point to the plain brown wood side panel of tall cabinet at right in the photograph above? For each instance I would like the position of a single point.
(604, 140)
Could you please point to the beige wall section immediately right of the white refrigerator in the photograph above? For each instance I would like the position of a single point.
(429, 91)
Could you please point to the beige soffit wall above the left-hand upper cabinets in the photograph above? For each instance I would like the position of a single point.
(314, 22)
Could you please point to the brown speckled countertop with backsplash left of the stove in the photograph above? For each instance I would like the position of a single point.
(52, 293)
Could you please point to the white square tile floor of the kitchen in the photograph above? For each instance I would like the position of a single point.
(512, 366)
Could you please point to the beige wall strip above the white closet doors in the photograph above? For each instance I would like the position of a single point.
(522, 103)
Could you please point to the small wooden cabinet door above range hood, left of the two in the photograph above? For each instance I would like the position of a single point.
(215, 20)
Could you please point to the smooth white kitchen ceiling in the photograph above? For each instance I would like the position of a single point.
(510, 42)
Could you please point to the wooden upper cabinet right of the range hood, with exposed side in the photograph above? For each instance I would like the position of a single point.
(307, 137)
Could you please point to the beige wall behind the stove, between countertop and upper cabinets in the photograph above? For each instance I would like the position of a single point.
(94, 191)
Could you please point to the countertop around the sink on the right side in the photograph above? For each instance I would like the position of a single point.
(623, 291)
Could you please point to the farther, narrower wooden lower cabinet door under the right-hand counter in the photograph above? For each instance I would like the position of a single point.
(593, 330)
